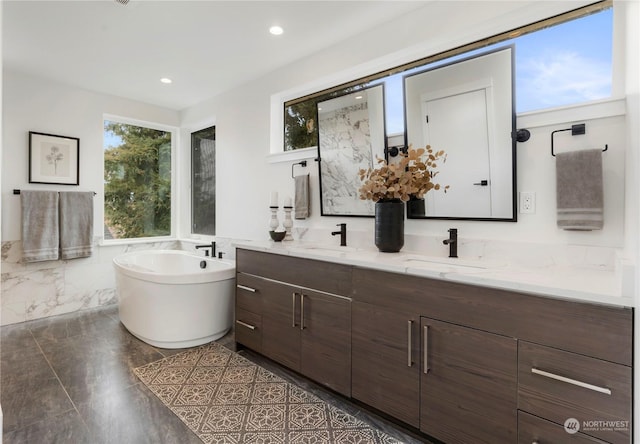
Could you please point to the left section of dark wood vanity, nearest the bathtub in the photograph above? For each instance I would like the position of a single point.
(306, 330)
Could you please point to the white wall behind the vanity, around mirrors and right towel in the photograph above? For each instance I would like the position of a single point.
(245, 135)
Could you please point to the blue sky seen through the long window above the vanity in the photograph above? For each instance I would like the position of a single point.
(565, 64)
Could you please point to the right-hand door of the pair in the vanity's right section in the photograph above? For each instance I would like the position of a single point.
(468, 386)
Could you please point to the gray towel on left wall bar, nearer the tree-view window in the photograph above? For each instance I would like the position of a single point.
(76, 224)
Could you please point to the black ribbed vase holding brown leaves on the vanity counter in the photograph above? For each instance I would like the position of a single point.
(389, 231)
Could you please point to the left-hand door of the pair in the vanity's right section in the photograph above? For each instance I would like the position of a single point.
(385, 360)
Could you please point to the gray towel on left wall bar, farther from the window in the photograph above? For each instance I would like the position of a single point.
(40, 234)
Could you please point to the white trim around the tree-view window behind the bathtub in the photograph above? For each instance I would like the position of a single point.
(175, 135)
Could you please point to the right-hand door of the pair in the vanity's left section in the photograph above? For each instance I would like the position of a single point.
(326, 340)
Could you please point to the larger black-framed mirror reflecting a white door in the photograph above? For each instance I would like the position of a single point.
(466, 108)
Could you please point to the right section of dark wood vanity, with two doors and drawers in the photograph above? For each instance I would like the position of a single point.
(484, 357)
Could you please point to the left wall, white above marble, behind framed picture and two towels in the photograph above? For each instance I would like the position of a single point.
(42, 289)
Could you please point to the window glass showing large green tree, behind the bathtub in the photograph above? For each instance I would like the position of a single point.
(137, 181)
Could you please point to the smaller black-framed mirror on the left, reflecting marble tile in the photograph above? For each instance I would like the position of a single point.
(351, 133)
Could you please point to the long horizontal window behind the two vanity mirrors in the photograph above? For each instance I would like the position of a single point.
(560, 61)
